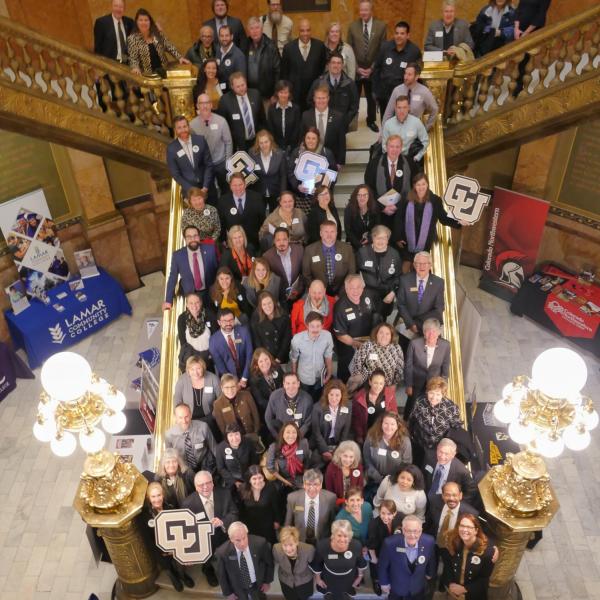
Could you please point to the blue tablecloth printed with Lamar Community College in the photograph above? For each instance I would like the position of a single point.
(43, 331)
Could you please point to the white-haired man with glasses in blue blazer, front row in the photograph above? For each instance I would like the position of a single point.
(406, 561)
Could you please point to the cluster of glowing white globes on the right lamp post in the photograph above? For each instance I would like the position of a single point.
(547, 411)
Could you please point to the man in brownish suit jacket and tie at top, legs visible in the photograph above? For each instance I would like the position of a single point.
(365, 36)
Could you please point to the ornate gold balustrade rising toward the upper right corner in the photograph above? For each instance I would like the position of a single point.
(517, 92)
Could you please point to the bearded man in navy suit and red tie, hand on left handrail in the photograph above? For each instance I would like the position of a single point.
(195, 266)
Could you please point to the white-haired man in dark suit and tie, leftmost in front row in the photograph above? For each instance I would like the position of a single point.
(244, 564)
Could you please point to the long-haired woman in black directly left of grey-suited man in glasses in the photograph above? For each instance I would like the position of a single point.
(259, 505)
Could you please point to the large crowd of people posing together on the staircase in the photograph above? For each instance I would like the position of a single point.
(287, 434)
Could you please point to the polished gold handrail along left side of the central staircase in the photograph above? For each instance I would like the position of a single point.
(169, 352)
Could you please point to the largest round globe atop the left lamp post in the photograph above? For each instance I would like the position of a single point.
(66, 376)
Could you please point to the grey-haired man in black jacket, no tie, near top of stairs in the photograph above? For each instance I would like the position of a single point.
(262, 60)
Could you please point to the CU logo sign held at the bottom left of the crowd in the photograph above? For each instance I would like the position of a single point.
(180, 533)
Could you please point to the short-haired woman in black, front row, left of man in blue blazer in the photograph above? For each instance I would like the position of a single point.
(338, 563)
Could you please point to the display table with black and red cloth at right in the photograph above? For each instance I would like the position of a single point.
(561, 302)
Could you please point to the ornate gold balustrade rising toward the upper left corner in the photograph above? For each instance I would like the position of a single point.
(61, 93)
